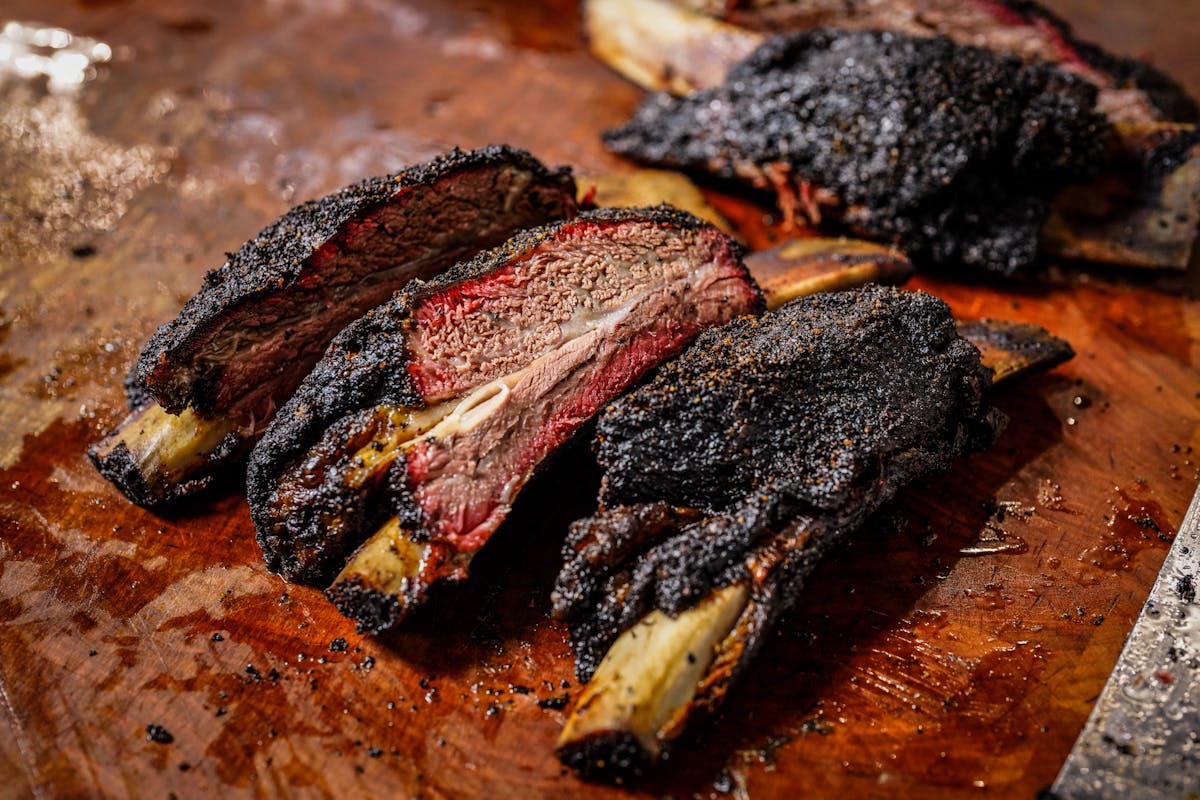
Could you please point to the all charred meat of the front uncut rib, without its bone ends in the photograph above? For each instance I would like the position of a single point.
(765, 443)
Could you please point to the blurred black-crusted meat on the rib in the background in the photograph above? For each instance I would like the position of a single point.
(953, 153)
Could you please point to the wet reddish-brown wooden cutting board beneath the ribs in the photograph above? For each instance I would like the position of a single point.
(955, 649)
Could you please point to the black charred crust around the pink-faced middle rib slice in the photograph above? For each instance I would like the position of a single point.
(368, 365)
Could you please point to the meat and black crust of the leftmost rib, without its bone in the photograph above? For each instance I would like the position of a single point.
(243, 344)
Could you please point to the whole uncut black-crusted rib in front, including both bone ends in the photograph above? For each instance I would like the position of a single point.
(734, 472)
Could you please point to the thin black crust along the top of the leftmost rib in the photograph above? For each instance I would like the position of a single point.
(280, 256)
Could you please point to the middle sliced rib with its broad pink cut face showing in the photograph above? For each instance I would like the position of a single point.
(436, 408)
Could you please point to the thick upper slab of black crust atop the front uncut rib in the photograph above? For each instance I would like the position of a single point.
(812, 394)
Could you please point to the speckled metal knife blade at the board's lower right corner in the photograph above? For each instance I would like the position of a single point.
(1143, 738)
